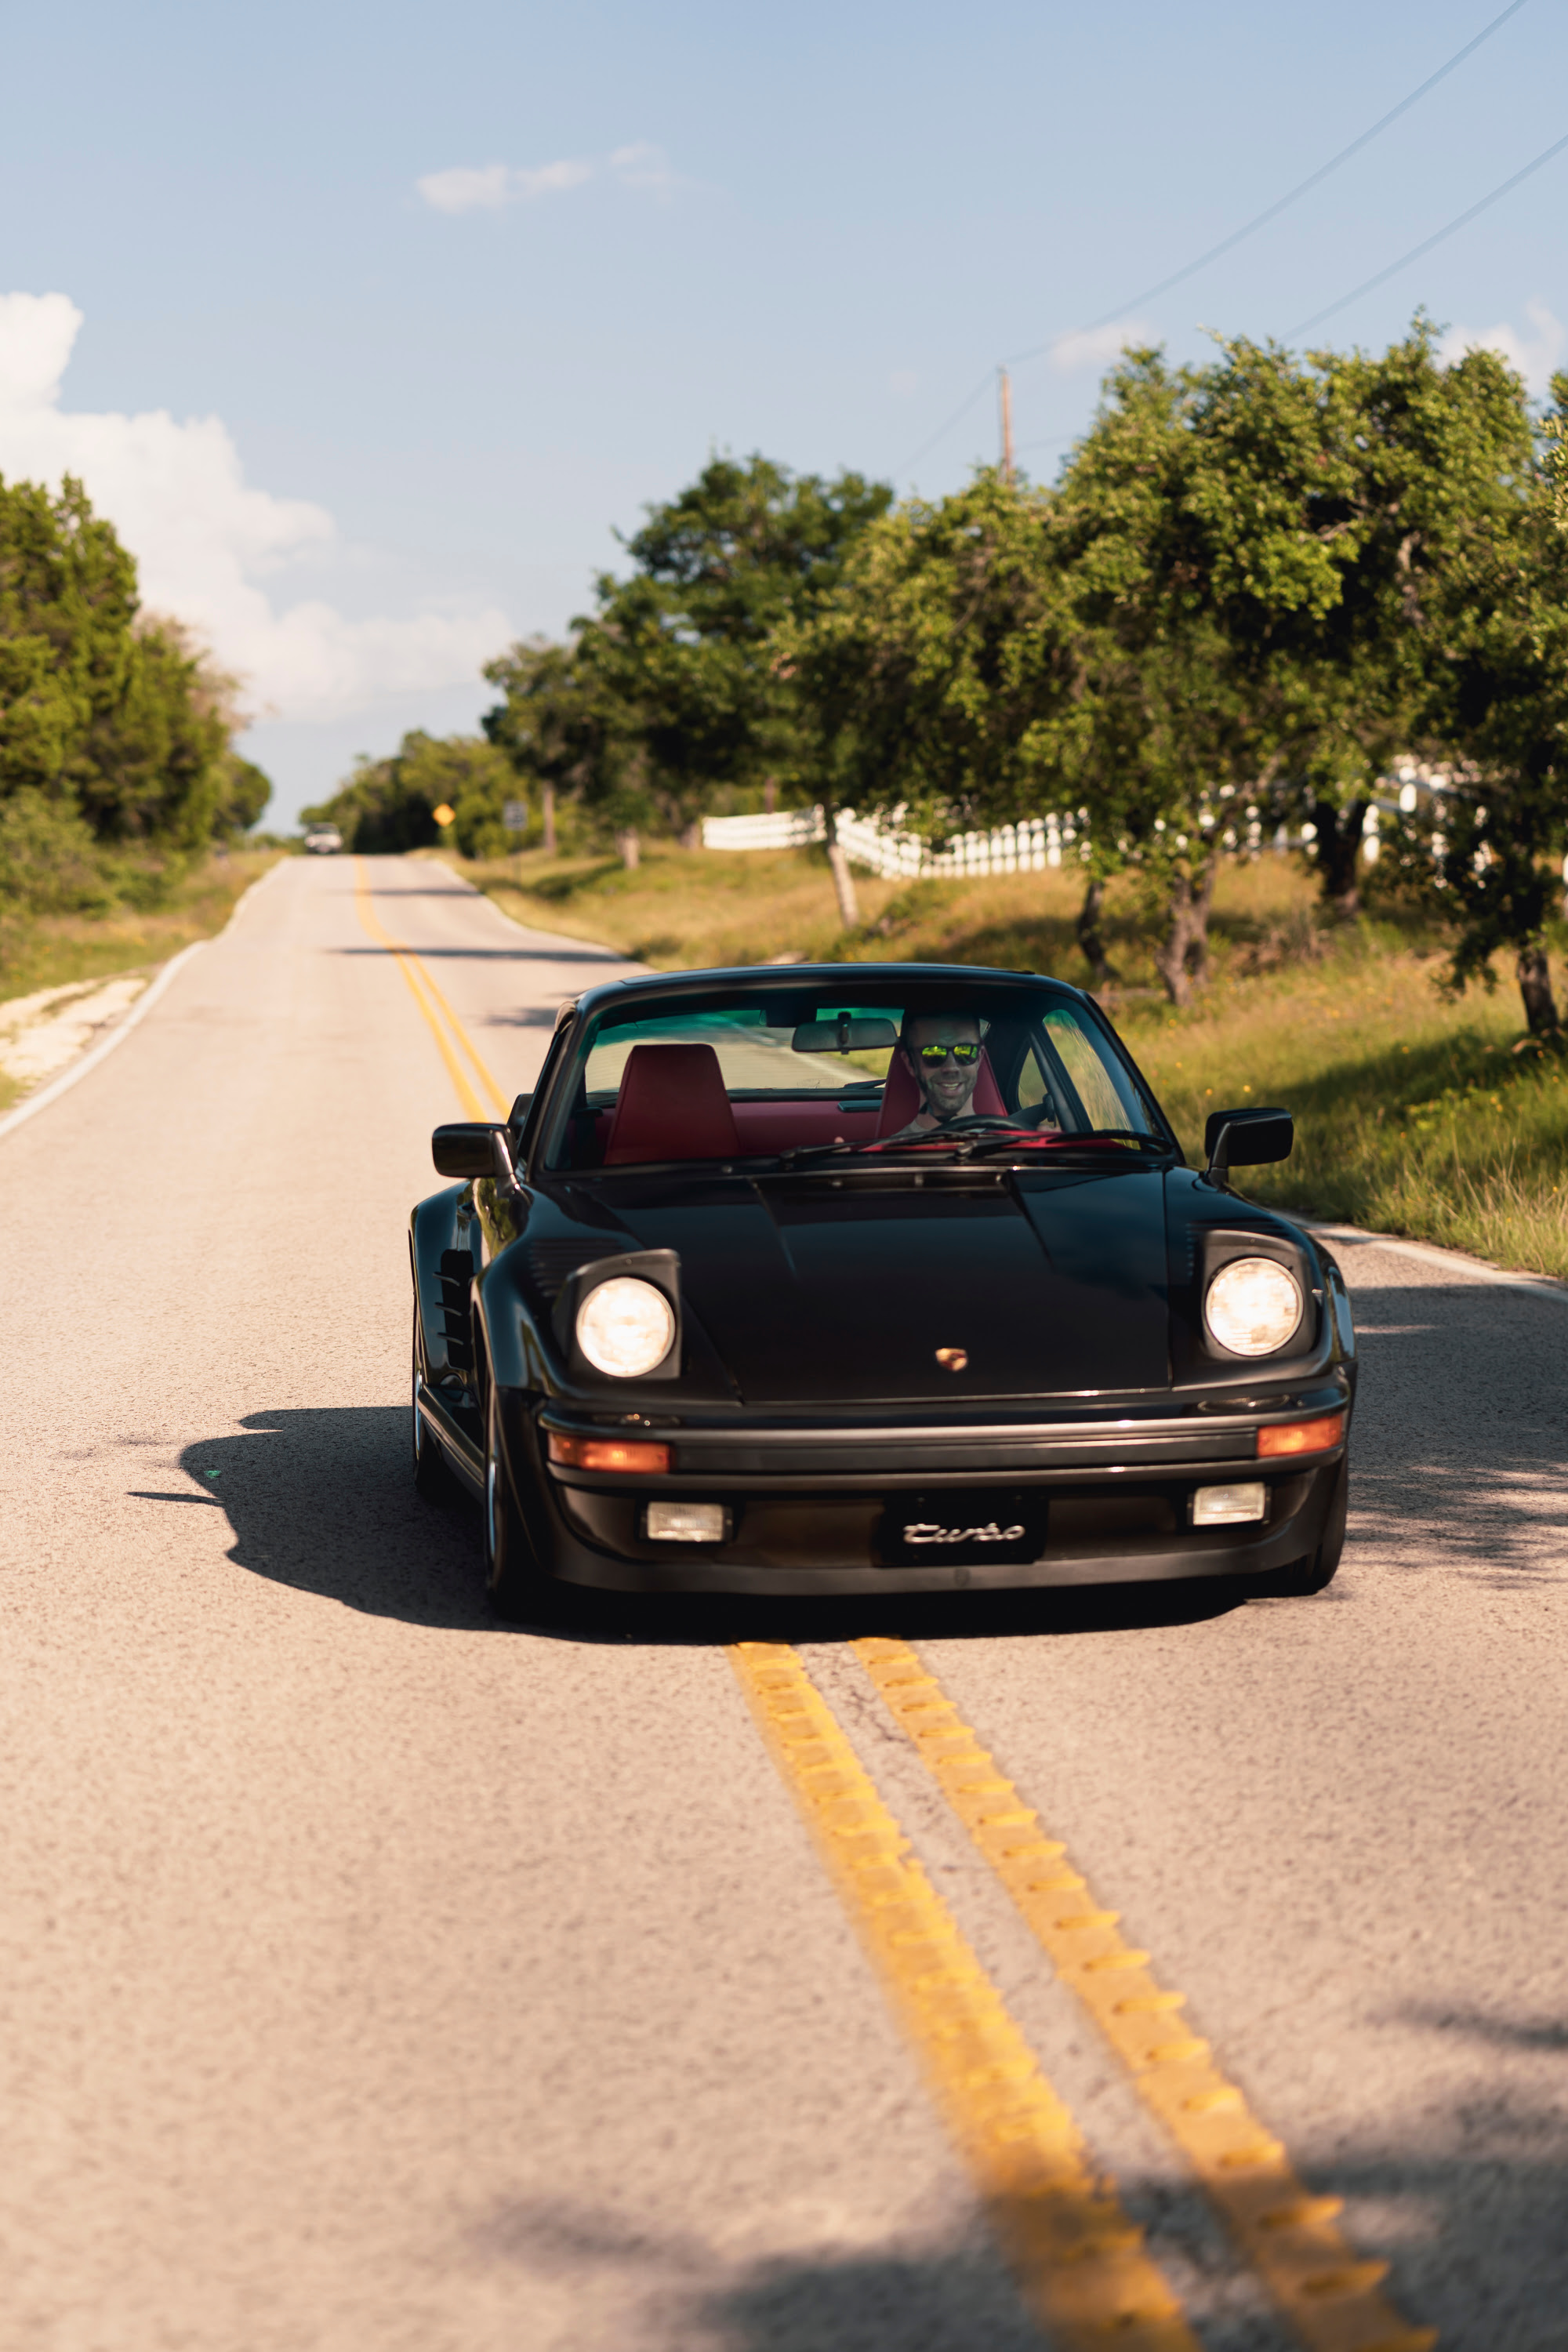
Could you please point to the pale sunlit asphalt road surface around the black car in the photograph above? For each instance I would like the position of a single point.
(375, 1979)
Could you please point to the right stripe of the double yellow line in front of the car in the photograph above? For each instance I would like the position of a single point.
(1329, 2297)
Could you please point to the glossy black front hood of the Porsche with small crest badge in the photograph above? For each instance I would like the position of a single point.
(845, 1292)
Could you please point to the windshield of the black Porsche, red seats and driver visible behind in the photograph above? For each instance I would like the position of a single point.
(786, 1071)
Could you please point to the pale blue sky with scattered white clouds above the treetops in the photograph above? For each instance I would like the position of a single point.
(363, 434)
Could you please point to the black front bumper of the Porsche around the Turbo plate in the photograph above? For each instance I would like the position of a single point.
(810, 1502)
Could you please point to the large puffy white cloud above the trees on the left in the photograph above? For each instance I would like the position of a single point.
(203, 537)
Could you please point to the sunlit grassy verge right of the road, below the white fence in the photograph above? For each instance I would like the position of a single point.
(1414, 1114)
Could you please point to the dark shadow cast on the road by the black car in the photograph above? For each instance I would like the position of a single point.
(323, 1499)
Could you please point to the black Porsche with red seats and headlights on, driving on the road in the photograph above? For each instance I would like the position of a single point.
(871, 1278)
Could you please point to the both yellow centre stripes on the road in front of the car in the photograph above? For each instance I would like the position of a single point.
(1078, 2257)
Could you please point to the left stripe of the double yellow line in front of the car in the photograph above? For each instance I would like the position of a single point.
(1078, 2257)
